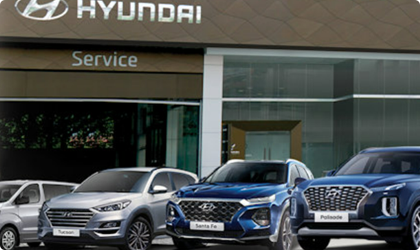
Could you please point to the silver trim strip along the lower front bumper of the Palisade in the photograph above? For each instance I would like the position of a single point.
(337, 232)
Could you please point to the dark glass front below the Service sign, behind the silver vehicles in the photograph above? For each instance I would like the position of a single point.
(40, 139)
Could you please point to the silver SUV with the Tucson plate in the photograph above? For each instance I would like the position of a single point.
(122, 207)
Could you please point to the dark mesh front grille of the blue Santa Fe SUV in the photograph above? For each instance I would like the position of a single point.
(210, 211)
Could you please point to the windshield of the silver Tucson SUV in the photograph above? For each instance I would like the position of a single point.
(114, 181)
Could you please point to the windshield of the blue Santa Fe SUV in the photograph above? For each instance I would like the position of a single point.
(243, 172)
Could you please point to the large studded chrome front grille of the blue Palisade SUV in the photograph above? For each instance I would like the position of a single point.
(335, 198)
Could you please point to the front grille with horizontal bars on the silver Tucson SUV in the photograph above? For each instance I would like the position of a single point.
(69, 218)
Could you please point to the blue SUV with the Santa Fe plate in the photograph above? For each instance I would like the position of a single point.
(240, 202)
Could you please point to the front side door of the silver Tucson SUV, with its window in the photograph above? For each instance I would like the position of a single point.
(158, 201)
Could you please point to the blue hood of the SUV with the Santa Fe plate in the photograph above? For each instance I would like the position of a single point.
(231, 190)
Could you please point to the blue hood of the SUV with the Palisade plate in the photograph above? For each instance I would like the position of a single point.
(367, 180)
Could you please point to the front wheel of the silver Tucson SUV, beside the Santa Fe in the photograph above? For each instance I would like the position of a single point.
(138, 235)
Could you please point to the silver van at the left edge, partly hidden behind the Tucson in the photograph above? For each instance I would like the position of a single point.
(20, 202)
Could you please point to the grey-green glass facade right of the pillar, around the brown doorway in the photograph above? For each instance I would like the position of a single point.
(344, 105)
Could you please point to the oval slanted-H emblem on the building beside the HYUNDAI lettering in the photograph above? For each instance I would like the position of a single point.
(42, 12)
